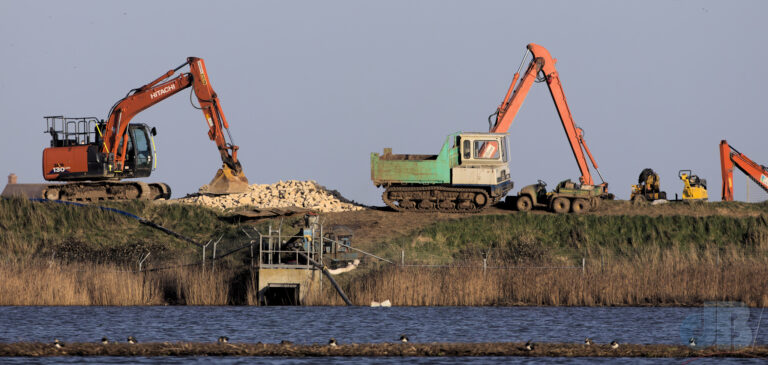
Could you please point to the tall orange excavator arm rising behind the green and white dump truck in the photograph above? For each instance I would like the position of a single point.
(543, 64)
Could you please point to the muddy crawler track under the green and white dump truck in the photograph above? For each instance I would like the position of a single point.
(437, 198)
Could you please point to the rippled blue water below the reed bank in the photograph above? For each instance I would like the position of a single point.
(370, 325)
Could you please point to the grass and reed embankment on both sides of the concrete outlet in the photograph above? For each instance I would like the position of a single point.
(59, 254)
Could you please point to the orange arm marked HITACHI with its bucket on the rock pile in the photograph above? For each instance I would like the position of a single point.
(229, 179)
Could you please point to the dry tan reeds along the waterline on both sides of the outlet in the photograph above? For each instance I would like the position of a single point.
(664, 277)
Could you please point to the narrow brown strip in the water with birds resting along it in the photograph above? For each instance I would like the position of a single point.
(368, 350)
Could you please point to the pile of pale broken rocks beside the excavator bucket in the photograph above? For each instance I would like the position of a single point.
(291, 193)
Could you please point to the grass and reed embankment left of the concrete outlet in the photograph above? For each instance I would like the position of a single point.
(61, 254)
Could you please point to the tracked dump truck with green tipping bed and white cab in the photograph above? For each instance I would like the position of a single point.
(463, 178)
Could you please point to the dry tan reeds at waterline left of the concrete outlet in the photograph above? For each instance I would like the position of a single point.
(70, 284)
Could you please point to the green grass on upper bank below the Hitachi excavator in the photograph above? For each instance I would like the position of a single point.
(46, 229)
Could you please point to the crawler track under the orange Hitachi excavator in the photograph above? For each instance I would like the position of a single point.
(105, 191)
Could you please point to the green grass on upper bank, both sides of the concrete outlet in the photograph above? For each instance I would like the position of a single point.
(34, 229)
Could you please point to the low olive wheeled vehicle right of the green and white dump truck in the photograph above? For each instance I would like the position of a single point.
(567, 196)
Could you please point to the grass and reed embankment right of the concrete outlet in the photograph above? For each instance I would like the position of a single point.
(536, 260)
